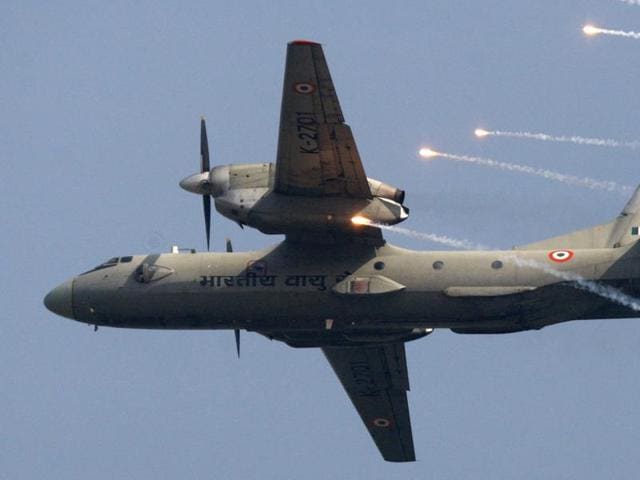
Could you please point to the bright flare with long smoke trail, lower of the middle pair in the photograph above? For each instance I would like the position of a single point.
(587, 182)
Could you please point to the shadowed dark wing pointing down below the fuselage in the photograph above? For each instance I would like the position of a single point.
(376, 380)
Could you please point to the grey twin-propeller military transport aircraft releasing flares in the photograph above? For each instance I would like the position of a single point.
(334, 283)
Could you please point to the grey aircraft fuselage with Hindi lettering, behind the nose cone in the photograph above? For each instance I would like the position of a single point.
(354, 288)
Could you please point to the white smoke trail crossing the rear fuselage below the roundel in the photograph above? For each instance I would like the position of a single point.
(579, 282)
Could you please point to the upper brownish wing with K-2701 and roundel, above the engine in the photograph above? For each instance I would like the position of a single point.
(317, 154)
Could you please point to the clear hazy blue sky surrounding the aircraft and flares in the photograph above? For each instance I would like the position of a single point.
(99, 112)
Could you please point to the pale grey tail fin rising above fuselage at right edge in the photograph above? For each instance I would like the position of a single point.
(623, 230)
